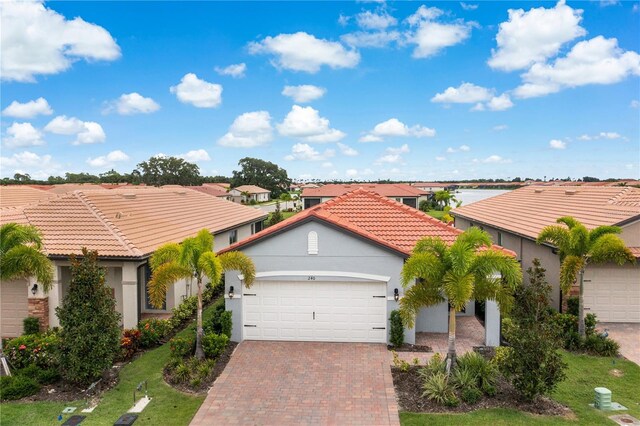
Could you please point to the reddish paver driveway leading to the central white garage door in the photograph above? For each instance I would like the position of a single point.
(287, 383)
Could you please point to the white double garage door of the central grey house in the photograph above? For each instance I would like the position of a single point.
(315, 311)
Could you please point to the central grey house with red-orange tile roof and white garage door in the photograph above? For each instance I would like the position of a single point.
(330, 273)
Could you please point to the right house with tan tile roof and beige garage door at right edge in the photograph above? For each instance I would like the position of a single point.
(515, 219)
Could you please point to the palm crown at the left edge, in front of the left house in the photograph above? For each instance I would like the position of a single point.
(21, 255)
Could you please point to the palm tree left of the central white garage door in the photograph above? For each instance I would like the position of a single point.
(193, 258)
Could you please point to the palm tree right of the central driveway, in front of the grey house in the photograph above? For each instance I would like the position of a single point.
(469, 269)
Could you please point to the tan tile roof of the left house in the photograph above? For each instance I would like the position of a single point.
(126, 223)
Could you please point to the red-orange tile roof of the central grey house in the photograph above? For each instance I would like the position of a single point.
(370, 215)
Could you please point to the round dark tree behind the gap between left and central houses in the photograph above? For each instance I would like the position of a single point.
(264, 174)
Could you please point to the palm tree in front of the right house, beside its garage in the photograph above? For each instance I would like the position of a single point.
(578, 247)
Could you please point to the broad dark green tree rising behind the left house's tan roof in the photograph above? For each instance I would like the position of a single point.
(158, 171)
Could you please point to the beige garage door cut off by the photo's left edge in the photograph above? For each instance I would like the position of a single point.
(13, 307)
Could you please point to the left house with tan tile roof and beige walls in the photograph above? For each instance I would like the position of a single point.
(125, 226)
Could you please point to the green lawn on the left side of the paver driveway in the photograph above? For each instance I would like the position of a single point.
(168, 406)
